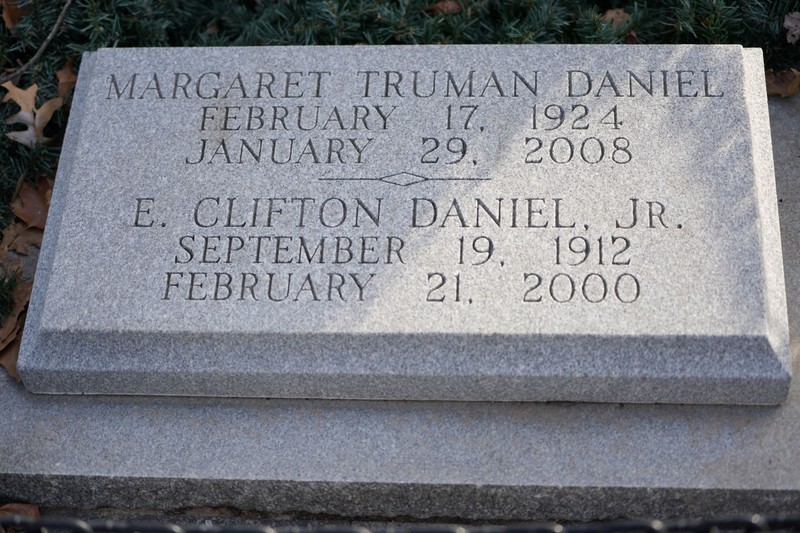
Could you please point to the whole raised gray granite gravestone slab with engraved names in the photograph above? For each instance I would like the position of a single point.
(163, 276)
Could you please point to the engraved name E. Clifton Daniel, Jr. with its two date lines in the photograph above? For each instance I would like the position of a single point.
(305, 249)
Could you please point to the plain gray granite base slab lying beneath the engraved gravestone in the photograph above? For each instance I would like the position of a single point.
(456, 460)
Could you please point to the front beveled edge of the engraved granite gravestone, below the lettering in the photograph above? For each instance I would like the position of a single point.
(352, 381)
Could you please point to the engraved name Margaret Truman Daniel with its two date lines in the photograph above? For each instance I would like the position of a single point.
(273, 131)
